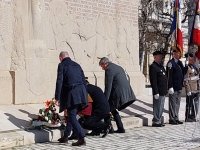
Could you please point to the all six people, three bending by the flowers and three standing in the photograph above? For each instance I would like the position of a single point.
(76, 96)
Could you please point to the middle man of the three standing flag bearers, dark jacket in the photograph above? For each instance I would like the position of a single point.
(175, 73)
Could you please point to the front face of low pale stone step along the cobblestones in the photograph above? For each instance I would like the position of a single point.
(19, 138)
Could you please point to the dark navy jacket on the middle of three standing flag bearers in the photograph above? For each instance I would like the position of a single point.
(175, 75)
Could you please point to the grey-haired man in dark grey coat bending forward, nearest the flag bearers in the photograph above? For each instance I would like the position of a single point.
(118, 91)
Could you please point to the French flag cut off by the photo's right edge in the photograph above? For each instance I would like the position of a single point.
(196, 29)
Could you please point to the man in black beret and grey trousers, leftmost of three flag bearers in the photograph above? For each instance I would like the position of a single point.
(158, 82)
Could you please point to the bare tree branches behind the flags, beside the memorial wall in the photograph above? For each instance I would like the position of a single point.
(155, 20)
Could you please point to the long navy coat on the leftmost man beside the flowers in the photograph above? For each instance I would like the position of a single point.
(70, 85)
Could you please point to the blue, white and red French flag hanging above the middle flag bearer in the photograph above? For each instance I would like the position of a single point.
(177, 38)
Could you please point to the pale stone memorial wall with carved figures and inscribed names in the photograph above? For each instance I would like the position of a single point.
(33, 32)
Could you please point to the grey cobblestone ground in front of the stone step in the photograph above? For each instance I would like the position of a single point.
(170, 137)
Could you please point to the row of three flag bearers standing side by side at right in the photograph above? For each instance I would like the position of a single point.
(171, 81)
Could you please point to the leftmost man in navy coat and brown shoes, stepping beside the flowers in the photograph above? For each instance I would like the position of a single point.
(71, 94)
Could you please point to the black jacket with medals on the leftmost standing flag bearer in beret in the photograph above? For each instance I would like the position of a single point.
(158, 79)
